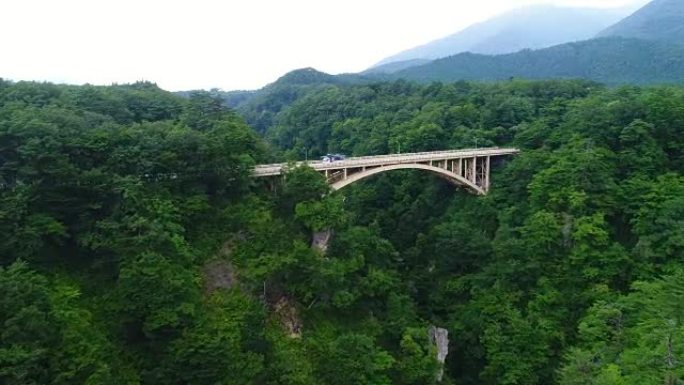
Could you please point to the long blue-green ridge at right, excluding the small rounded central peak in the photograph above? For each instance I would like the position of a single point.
(608, 60)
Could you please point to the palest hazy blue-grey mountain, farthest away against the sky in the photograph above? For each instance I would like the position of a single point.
(532, 27)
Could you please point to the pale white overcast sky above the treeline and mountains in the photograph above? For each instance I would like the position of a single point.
(239, 44)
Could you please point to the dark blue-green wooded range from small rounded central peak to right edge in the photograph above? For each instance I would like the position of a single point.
(613, 61)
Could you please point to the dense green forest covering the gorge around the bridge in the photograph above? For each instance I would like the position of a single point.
(136, 249)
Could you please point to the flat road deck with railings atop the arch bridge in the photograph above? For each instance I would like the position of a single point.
(385, 160)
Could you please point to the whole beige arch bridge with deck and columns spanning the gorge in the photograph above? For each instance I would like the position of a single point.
(464, 168)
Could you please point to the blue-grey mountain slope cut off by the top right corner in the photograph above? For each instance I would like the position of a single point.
(659, 20)
